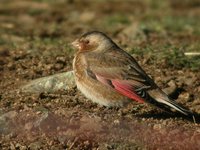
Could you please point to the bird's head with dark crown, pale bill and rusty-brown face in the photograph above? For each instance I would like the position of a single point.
(93, 41)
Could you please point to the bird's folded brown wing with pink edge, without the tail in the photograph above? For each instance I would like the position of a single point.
(120, 71)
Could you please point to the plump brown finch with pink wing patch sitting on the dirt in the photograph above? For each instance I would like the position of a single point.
(109, 76)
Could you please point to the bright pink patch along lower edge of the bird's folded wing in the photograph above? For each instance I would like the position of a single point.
(122, 87)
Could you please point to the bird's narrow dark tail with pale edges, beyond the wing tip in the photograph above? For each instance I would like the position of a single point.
(161, 100)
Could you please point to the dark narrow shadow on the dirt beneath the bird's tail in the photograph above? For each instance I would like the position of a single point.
(164, 115)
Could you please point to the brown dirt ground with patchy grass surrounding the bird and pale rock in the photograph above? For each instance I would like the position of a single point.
(34, 43)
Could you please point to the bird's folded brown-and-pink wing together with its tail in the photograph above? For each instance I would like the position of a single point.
(119, 70)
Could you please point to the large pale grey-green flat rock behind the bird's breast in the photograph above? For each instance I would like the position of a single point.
(53, 83)
